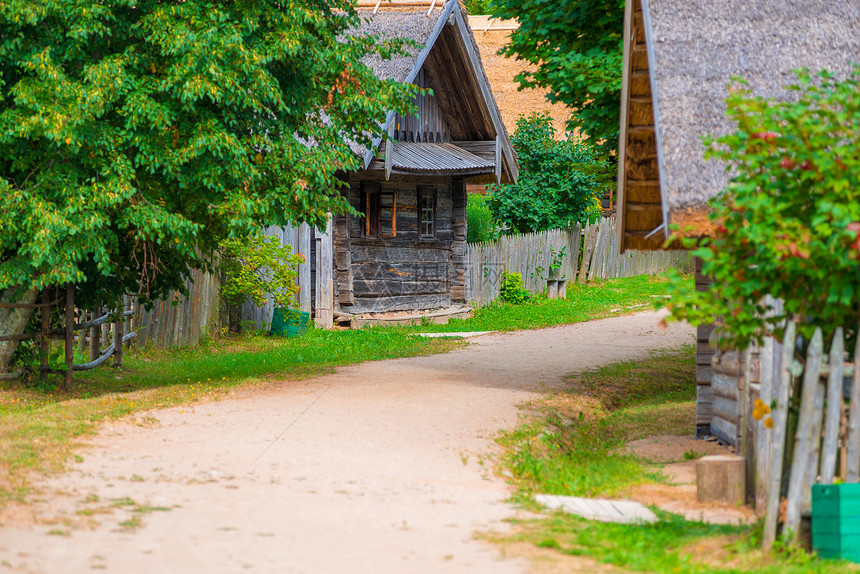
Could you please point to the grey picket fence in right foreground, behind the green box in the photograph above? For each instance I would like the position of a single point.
(789, 449)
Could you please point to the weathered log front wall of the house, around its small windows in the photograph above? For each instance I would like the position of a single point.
(404, 272)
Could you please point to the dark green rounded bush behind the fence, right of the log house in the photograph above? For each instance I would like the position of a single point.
(555, 188)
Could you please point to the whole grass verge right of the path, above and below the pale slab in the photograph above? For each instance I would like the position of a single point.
(573, 449)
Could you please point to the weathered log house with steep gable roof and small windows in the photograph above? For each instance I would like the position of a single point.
(408, 250)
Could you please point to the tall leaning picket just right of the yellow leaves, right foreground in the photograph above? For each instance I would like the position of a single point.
(780, 422)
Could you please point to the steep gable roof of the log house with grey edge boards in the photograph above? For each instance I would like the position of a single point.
(449, 50)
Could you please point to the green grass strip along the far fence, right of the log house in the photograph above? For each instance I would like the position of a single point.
(609, 298)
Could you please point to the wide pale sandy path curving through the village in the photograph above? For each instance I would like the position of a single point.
(377, 468)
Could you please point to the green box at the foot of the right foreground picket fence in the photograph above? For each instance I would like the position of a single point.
(836, 521)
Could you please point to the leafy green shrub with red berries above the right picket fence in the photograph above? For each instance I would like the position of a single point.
(788, 225)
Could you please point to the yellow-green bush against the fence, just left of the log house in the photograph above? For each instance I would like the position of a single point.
(259, 267)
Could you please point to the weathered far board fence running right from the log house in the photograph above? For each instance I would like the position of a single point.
(584, 254)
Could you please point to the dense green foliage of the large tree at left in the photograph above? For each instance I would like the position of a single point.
(135, 133)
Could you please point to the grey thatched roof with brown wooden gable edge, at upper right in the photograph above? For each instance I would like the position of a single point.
(685, 54)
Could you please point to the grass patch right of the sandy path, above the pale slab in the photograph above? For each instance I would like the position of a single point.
(572, 450)
